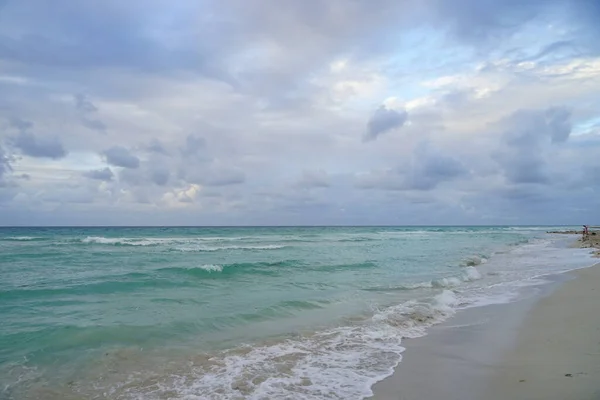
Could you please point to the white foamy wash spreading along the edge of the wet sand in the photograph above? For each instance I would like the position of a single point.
(337, 363)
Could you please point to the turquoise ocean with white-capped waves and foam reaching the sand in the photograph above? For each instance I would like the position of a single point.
(244, 313)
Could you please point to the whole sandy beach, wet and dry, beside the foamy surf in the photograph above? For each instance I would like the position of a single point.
(546, 346)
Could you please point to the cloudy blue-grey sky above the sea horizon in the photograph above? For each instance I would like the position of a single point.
(245, 112)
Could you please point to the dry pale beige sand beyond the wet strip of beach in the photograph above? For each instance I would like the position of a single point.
(557, 354)
